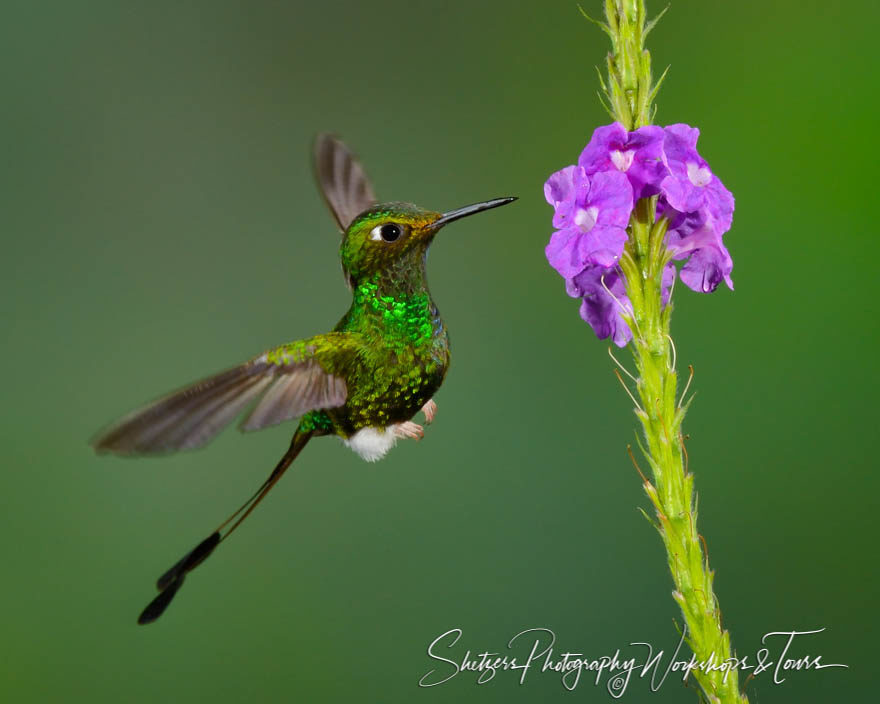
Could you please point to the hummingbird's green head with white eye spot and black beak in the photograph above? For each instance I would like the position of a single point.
(394, 237)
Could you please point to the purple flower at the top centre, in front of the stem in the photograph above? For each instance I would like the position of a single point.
(638, 154)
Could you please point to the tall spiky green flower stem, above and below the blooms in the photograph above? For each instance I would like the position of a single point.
(630, 96)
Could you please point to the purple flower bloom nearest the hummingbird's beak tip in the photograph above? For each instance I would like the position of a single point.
(592, 214)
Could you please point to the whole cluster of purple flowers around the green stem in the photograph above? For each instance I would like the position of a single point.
(593, 202)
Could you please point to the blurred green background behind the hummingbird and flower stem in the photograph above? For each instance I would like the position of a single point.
(159, 223)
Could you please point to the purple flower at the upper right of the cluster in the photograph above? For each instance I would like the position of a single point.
(690, 184)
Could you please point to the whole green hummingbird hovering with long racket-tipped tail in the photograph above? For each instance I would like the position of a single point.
(363, 382)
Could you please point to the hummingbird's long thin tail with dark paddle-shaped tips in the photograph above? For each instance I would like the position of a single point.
(171, 581)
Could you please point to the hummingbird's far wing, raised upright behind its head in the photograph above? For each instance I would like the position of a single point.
(342, 180)
